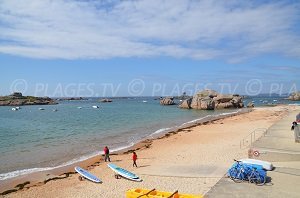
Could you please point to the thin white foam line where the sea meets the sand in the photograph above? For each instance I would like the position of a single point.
(9, 175)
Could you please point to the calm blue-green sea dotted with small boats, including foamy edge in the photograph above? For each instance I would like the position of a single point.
(33, 140)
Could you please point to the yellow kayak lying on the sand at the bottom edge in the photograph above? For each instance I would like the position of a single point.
(145, 193)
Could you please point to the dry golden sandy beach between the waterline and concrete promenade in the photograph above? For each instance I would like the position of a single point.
(191, 160)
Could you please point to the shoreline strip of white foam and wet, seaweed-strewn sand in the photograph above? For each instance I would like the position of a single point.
(34, 178)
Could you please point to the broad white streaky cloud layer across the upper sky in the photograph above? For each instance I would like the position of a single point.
(232, 30)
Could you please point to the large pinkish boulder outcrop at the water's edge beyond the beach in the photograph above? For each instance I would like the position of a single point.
(210, 100)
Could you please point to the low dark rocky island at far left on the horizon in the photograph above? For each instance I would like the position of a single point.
(17, 99)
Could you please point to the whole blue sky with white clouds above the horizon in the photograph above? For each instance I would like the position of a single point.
(97, 48)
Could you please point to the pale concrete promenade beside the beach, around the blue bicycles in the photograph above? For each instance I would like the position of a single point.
(279, 147)
